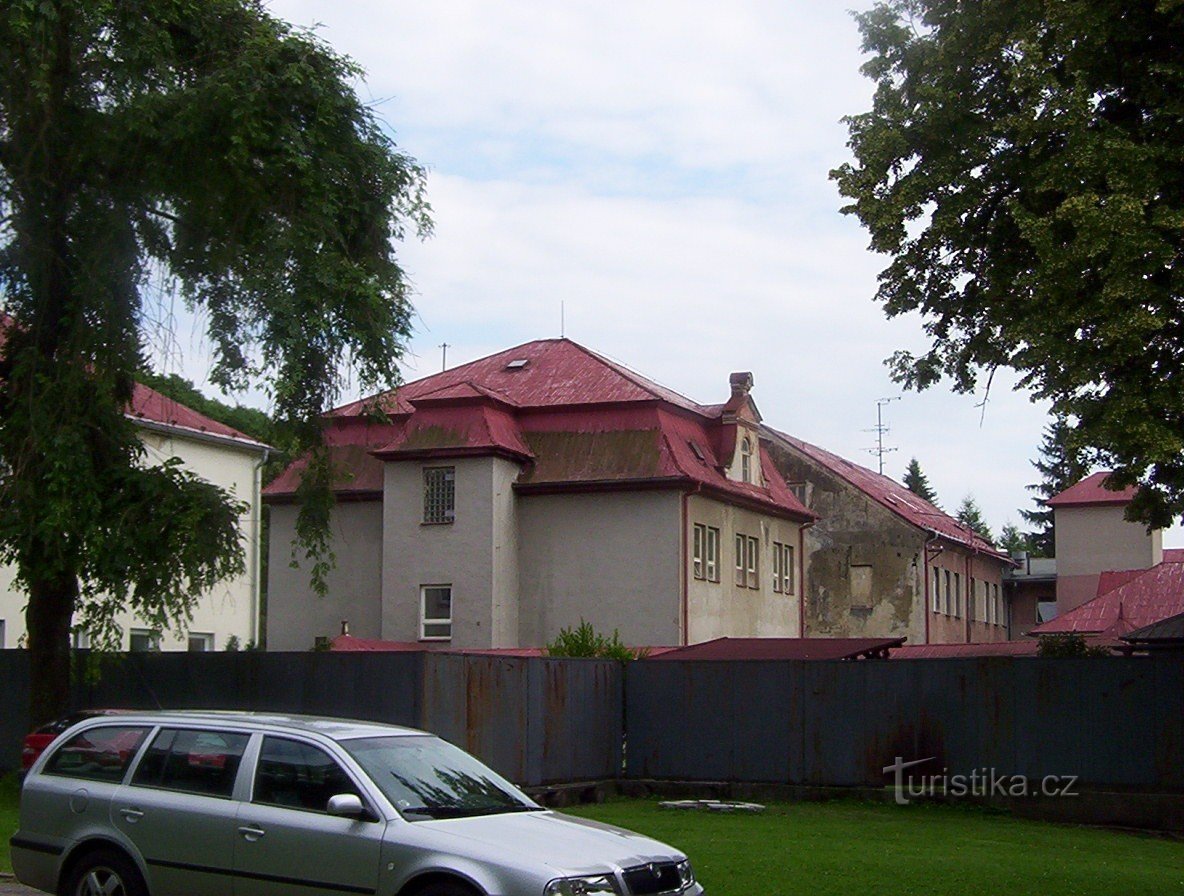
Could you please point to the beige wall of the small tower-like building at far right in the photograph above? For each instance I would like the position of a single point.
(1092, 540)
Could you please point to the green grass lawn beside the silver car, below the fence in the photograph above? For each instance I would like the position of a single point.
(852, 848)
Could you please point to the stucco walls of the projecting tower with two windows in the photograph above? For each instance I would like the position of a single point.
(474, 555)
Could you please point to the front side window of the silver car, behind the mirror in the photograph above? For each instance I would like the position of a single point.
(299, 776)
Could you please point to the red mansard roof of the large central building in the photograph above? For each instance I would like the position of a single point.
(575, 418)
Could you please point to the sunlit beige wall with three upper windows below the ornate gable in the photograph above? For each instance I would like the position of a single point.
(724, 609)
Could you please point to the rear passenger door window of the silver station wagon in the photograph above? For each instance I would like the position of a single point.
(192, 762)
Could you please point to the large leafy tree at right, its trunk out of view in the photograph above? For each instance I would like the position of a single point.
(1024, 167)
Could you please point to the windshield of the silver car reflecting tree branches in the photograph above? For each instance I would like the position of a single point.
(428, 778)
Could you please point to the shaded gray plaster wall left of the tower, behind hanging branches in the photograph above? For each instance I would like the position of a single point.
(297, 616)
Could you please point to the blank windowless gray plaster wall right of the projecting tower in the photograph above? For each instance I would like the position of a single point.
(614, 559)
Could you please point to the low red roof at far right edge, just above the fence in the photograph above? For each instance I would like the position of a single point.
(1147, 598)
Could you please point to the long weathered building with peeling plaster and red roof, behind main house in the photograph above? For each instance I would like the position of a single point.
(884, 563)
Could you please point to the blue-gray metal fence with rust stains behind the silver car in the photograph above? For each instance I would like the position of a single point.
(1108, 721)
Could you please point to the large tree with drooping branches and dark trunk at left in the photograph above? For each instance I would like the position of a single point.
(210, 146)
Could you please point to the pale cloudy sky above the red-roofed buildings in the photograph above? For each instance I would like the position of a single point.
(651, 179)
